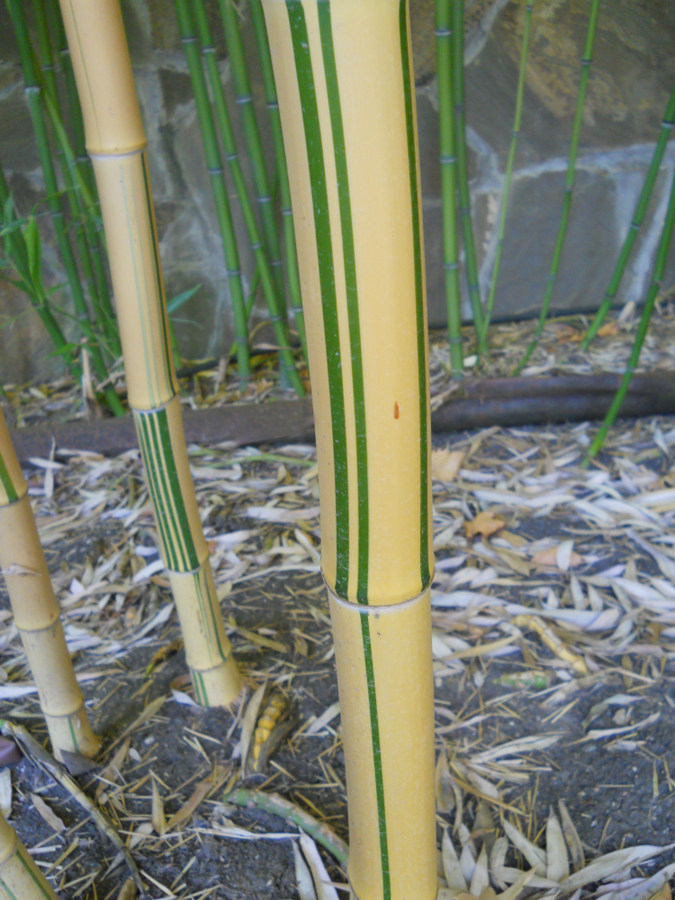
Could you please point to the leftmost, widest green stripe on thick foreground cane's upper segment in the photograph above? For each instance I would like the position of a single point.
(322, 225)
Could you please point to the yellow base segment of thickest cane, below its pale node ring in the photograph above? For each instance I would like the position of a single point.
(389, 746)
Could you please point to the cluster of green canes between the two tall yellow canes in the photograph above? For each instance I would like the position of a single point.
(198, 41)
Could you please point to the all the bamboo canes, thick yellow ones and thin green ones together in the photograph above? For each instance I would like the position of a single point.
(343, 125)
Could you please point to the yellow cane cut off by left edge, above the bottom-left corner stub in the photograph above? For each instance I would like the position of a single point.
(36, 611)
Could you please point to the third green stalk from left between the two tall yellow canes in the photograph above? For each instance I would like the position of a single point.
(242, 88)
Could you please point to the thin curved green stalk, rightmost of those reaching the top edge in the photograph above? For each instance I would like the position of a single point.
(586, 61)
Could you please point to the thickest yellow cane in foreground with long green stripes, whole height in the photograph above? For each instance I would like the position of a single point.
(345, 88)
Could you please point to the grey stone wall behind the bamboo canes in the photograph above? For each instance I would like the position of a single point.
(631, 78)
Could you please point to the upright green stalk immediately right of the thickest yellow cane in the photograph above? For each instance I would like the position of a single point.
(448, 159)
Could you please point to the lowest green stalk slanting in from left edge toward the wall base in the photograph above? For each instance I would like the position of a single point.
(17, 253)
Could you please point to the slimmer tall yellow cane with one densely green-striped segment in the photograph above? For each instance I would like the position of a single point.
(116, 143)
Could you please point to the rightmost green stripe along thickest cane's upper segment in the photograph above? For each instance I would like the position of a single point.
(420, 302)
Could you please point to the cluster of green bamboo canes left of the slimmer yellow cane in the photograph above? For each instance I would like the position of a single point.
(93, 316)
